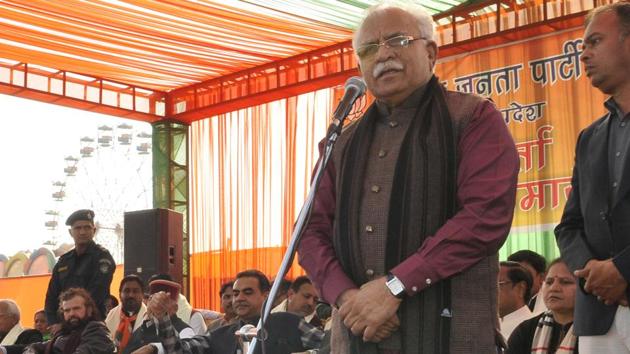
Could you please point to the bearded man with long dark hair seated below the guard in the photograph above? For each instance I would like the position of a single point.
(80, 331)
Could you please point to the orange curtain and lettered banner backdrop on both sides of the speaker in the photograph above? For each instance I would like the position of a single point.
(250, 169)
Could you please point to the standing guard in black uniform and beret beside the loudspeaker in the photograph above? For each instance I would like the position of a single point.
(89, 266)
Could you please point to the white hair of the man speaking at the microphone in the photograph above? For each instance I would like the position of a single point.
(423, 18)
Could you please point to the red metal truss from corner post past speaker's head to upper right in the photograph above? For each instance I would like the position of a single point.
(460, 30)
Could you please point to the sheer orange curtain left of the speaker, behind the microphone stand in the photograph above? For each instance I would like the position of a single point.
(250, 172)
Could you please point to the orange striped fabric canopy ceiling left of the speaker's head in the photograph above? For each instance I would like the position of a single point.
(158, 45)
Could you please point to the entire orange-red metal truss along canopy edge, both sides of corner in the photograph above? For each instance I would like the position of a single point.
(460, 30)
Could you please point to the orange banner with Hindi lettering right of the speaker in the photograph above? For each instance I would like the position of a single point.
(541, 89)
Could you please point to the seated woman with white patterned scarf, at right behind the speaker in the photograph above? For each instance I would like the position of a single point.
(551, 331)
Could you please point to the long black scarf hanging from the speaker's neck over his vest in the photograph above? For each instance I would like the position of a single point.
(427, 156)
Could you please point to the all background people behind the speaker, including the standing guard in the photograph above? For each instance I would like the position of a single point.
(536, 307)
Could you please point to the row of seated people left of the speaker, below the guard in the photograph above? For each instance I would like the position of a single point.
(147, 324)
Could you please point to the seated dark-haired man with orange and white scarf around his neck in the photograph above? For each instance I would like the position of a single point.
(126, 318)
